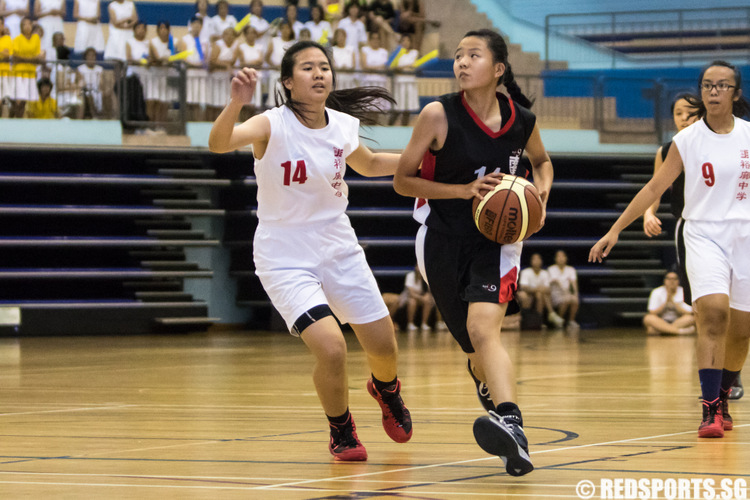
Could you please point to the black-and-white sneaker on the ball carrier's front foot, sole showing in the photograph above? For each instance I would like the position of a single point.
(503, 436)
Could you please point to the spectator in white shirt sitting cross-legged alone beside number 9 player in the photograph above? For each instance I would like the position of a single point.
(667, 311)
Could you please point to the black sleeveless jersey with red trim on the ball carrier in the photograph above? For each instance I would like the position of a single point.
(472, 150)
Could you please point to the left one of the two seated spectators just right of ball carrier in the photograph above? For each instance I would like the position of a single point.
(534, 294)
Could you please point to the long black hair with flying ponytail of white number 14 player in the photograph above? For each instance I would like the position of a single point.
(359, 102)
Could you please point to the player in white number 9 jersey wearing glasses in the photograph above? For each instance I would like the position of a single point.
(715, 156)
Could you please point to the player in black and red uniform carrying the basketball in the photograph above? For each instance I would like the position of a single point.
(465, 142)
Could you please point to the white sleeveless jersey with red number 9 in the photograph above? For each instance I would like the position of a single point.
(717, 172)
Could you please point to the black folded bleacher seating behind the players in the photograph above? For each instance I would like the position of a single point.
(93, 240)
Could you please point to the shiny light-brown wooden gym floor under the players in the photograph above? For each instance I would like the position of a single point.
(235, 415)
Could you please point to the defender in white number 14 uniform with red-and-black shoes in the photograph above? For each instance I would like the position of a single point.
(305, 250)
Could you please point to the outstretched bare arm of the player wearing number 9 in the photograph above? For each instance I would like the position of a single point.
(651, 192)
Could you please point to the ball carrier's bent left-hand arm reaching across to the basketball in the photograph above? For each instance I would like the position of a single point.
(430, 131)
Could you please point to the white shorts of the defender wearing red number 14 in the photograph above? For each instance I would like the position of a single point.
(320, 263)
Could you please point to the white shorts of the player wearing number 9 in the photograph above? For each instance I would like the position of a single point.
(717, 260)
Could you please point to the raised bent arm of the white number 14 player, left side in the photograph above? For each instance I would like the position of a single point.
(225, 136)
